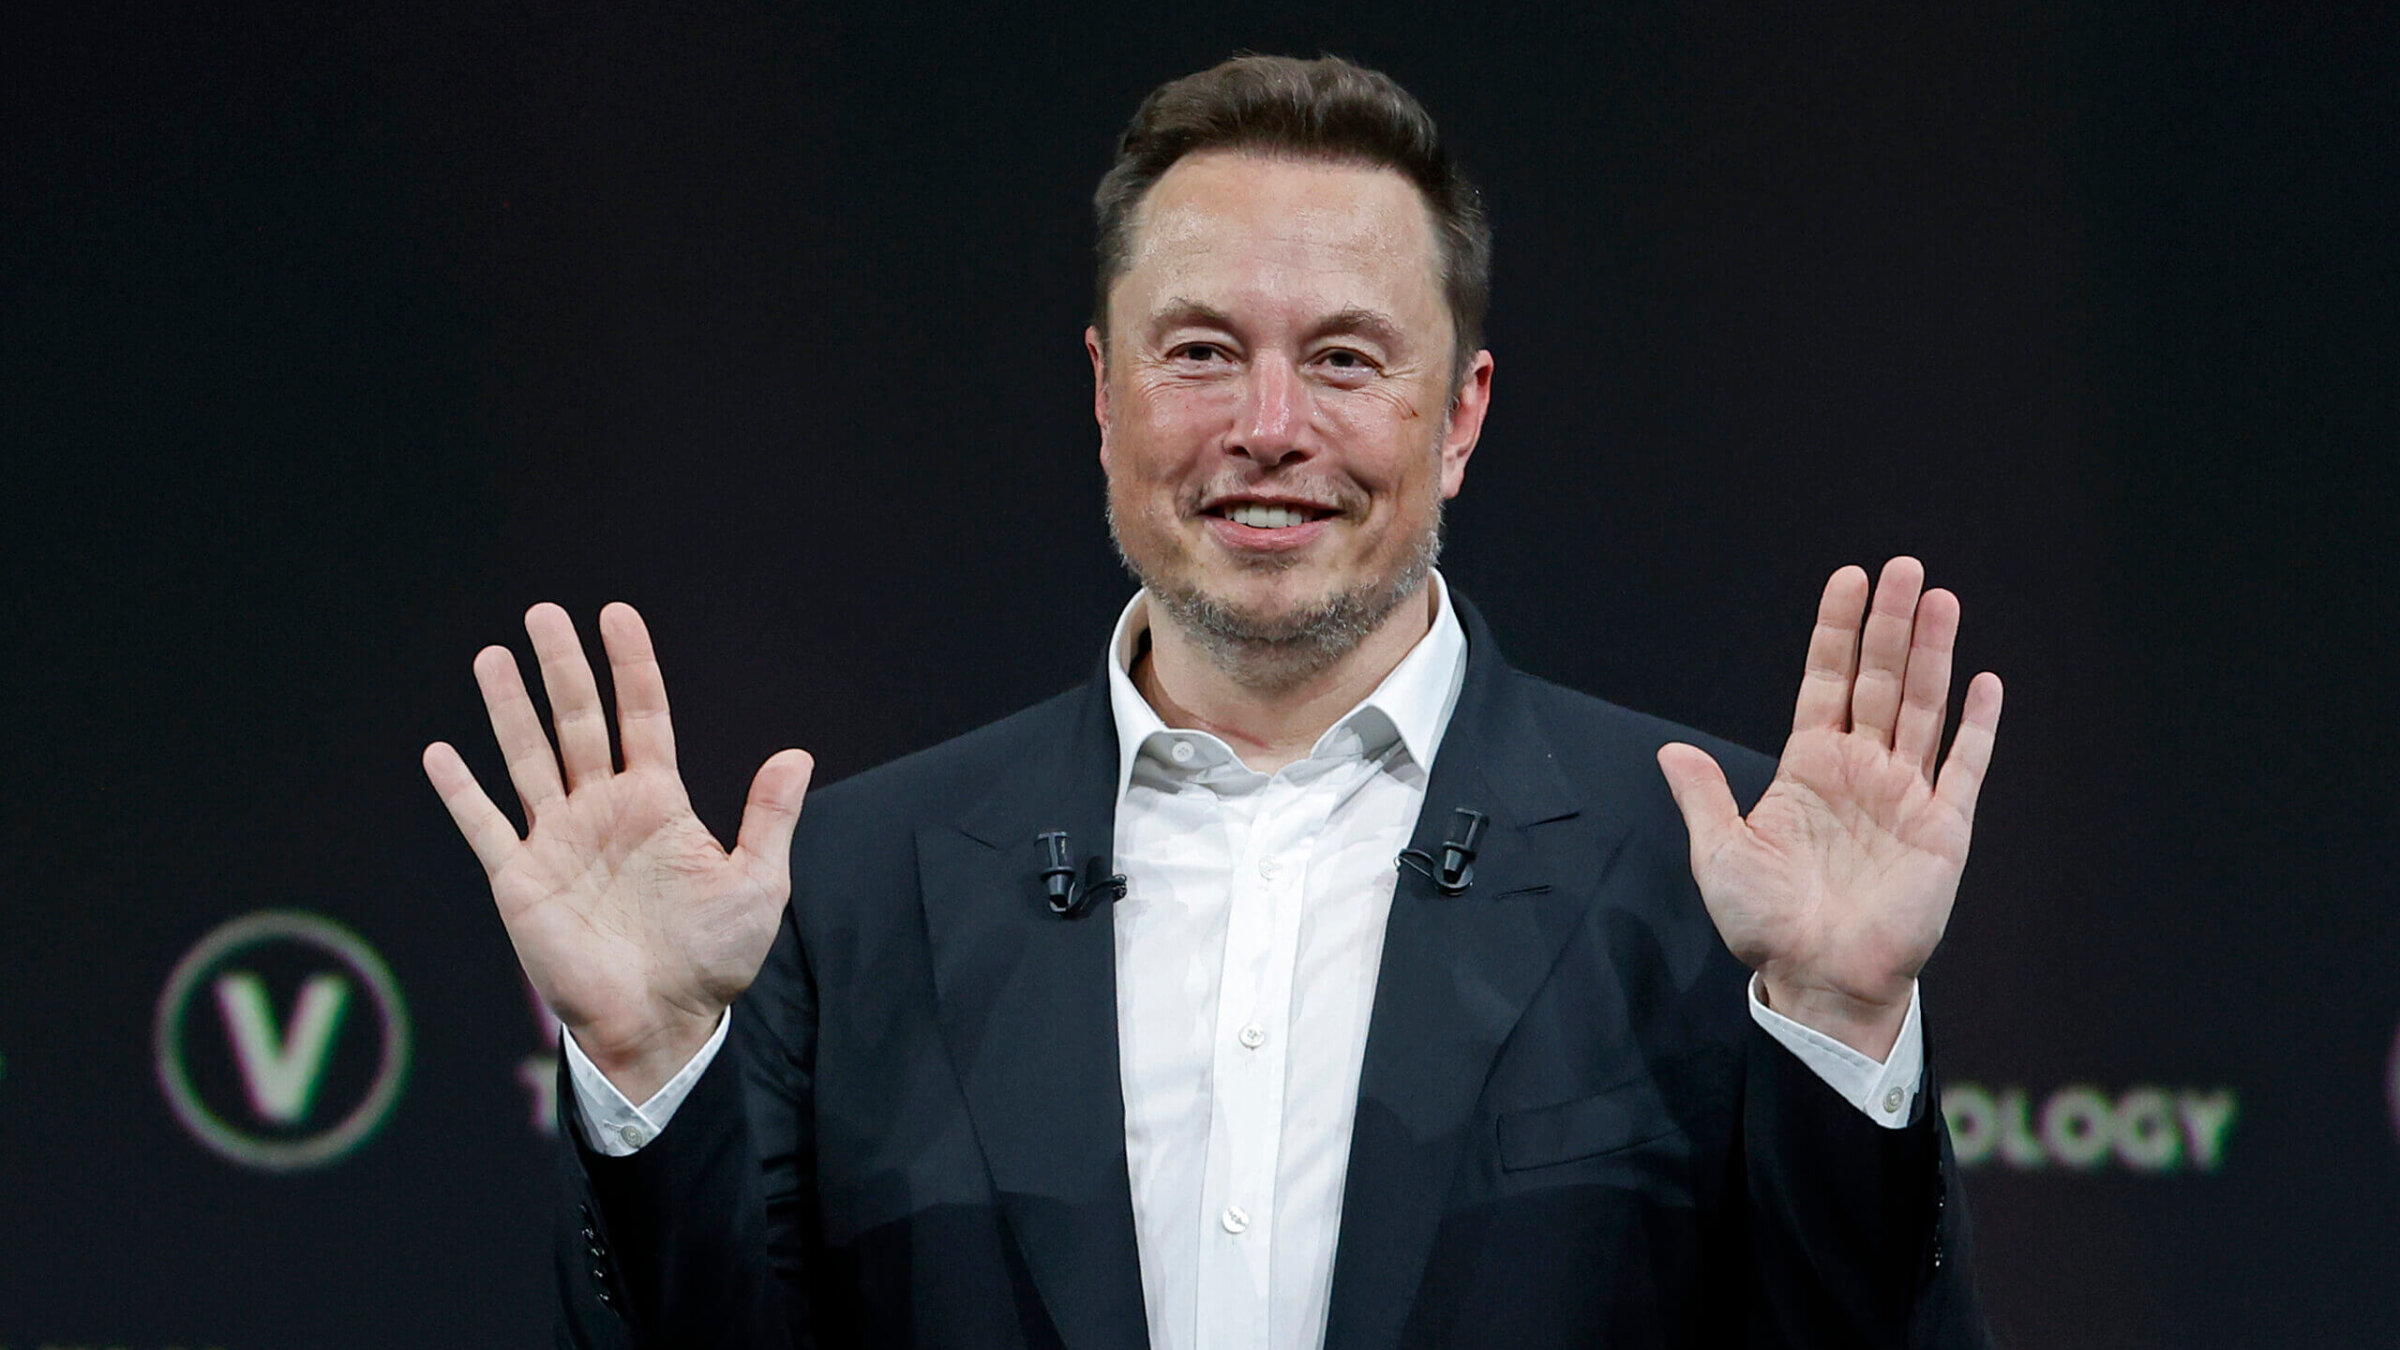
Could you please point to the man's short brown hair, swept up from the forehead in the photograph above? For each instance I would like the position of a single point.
(1312, 109)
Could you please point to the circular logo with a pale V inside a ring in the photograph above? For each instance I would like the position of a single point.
(263, 1049)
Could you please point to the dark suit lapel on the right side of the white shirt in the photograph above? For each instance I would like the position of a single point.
(1456, 976)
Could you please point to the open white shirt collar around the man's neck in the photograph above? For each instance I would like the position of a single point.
(1412, 705)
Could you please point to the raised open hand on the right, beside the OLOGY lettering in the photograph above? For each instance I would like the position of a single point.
(1840, 883)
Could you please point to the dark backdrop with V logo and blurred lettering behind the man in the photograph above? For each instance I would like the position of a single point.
(332, 340)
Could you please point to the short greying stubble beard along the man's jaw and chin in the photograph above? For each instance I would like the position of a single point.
(1290, 647)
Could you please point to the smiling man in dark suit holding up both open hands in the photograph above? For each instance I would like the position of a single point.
(1312, 976)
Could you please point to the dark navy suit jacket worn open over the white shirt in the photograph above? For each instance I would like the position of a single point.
(1568, 1128)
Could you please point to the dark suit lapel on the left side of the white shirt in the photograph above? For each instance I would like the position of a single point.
(1028, 1012)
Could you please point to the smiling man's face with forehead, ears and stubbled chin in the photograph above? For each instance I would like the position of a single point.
(1276, 398)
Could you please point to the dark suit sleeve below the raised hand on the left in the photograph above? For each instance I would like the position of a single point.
(704, 1236)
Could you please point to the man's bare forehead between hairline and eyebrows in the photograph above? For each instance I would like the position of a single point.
(1247, 229)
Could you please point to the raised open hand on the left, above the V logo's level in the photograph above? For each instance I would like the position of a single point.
(630, 916)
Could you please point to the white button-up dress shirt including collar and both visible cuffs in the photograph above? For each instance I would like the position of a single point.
(1247, 957)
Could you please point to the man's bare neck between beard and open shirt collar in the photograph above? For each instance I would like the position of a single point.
(1264, 717)
